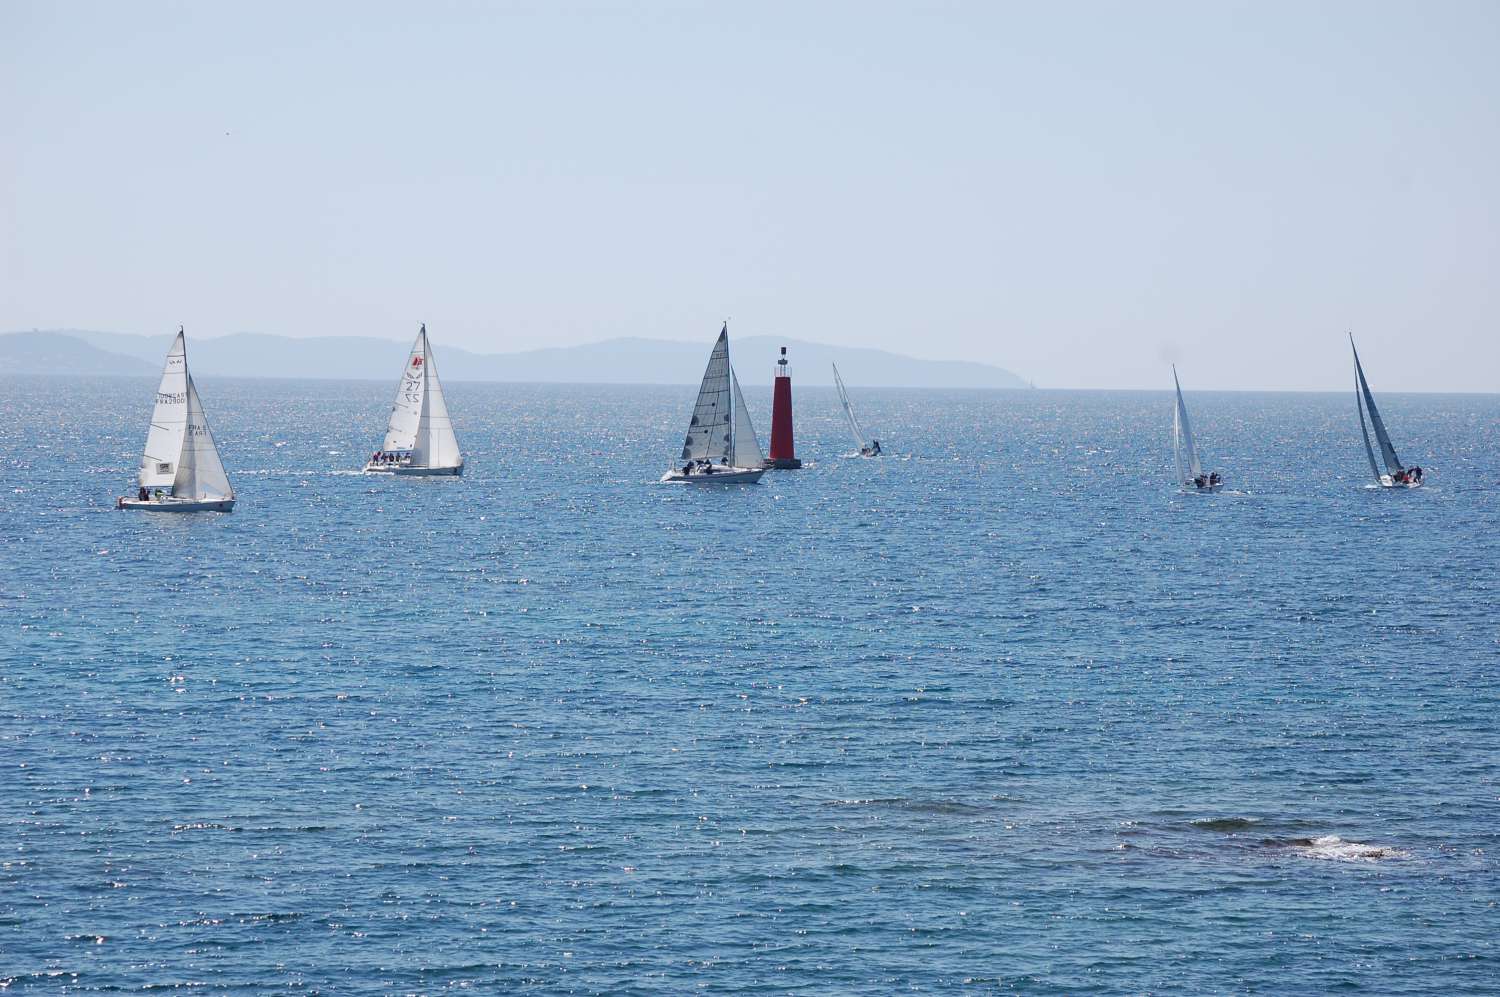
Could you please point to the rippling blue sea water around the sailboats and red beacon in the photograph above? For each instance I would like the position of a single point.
(1001, 713)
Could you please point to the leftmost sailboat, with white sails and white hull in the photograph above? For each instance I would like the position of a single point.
(181, 469)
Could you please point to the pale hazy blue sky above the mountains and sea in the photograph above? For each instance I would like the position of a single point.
(1081, 193)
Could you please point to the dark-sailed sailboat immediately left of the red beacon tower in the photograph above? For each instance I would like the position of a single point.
(721, 446)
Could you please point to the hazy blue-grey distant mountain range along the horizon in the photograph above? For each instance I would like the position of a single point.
(74, 352)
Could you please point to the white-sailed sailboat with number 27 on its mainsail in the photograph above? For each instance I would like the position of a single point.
(419, 437)
